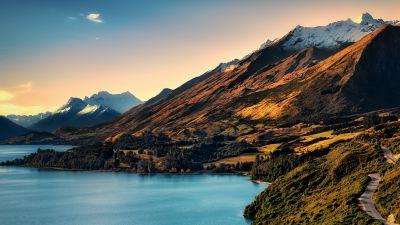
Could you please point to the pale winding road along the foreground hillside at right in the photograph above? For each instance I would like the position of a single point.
(366, 198)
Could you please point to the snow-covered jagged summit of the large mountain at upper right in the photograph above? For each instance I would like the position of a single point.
(332, 36)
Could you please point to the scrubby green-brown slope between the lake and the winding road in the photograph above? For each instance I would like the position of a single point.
(321, 190)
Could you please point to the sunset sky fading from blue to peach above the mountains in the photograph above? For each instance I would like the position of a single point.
(51, 50)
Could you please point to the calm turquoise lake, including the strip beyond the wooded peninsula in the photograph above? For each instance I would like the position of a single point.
(38, 196)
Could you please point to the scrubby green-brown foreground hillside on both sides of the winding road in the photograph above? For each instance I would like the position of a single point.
(327, 188)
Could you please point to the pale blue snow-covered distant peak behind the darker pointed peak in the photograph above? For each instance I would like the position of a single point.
(118, 102)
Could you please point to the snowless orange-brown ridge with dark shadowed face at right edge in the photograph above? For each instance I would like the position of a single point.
(360, 78)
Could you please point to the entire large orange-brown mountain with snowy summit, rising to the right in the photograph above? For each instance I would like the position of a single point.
(309, 73)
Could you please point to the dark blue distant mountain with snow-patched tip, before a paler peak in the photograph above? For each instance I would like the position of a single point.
(76, 113)
